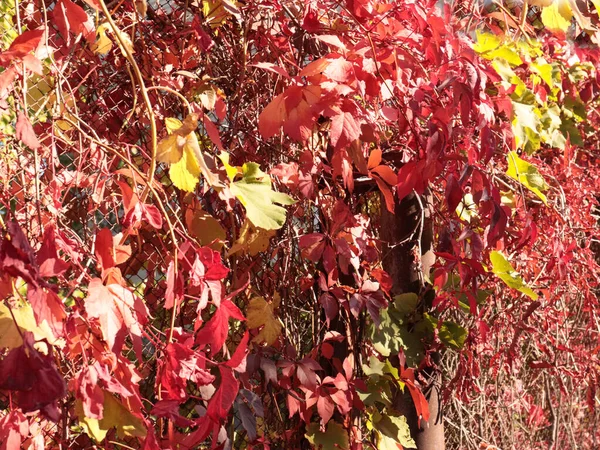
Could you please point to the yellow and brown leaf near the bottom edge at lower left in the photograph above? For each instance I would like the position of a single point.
(115, 415)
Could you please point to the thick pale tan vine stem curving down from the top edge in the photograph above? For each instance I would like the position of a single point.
(140, 81)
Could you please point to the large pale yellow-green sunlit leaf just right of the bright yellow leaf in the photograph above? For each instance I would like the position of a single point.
(254, 191)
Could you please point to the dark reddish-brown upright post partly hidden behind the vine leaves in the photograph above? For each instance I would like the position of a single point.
(409, 236)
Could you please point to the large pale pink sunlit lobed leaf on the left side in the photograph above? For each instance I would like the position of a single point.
(119, 312)
